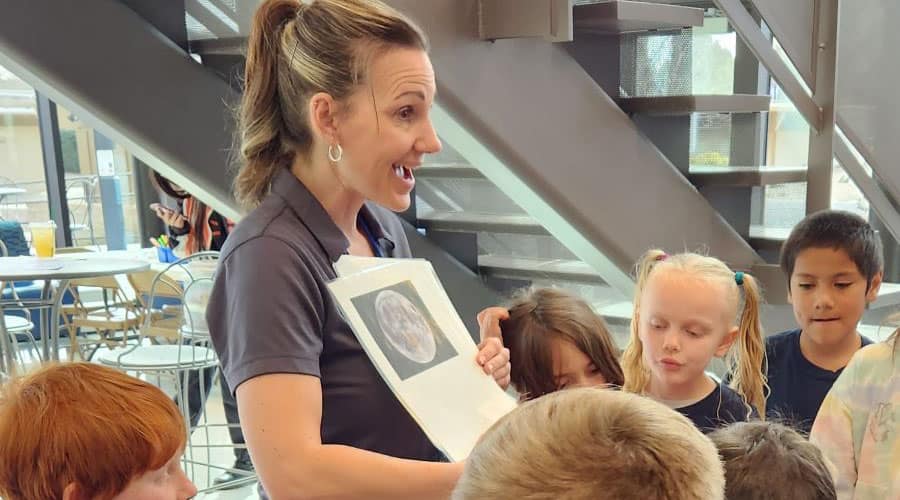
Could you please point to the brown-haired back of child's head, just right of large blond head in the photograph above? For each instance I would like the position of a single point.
(768, 460)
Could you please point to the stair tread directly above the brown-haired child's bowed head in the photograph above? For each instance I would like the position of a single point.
(525, 268)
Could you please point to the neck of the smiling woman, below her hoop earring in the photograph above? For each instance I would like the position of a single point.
(340, 202)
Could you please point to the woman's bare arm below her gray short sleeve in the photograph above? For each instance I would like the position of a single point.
(281, 418)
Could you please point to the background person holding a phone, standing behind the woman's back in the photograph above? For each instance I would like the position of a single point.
(203, 229)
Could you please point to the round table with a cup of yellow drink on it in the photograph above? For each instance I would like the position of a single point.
(62, 270)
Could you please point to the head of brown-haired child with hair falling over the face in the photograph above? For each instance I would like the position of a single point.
(557, 341)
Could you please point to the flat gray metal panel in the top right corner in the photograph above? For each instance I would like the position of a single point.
(867, 83)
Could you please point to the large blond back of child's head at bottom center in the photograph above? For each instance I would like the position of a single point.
(589, 443)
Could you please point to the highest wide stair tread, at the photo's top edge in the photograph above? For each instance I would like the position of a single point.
(618, 17)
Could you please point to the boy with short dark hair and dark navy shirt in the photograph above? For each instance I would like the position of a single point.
(833, 263)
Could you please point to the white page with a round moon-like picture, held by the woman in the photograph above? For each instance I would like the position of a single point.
(414, 337)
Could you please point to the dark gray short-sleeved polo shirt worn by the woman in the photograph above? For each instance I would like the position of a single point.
(270, 312)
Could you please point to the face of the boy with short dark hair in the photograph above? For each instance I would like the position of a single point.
(829, 294)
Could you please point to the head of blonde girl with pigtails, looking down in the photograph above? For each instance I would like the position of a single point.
(689, 308)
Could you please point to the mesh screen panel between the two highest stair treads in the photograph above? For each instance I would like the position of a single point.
(656, 64)
